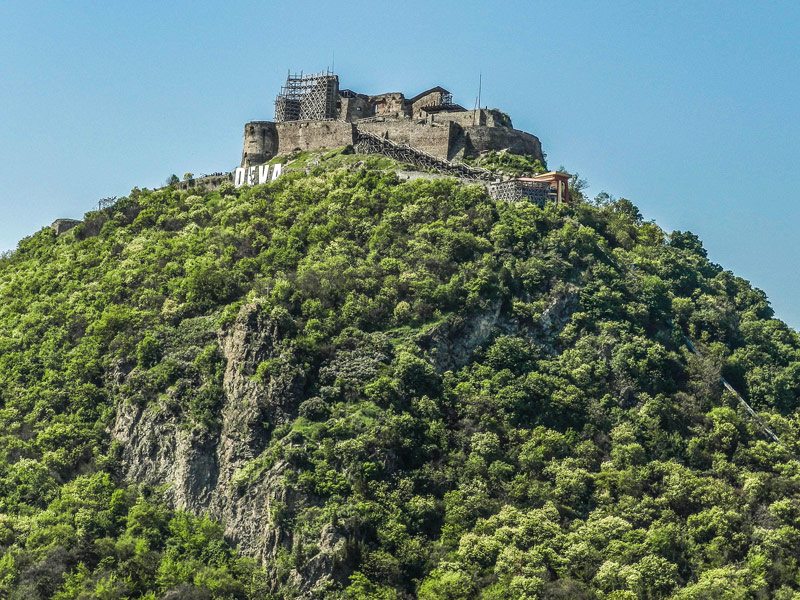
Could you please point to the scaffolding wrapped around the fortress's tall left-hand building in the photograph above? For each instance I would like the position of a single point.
(310, 97)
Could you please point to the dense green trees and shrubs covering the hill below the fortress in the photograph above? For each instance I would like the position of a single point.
(580, 450)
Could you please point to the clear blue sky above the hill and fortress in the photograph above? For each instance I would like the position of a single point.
(689, 109)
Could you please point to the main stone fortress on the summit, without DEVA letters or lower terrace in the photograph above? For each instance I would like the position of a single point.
(313, 113)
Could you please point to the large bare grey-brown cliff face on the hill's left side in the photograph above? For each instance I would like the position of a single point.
(201, 471)
